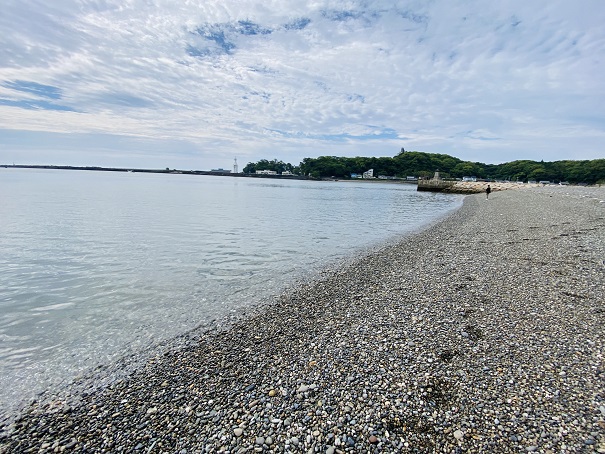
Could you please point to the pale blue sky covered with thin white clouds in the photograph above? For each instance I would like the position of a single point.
(194, 84)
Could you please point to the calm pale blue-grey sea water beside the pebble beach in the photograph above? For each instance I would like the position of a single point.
(96, 265)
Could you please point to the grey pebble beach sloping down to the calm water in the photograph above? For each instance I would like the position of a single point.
(484, 332)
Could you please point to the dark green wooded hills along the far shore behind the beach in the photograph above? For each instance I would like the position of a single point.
(419, 164)
